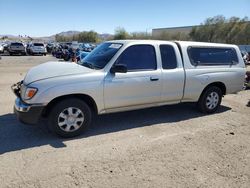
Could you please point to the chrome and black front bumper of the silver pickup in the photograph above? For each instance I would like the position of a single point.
(26, 113)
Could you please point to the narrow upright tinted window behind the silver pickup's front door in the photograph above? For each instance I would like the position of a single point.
(168, 57)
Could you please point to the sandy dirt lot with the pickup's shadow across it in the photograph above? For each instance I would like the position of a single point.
(172, 146)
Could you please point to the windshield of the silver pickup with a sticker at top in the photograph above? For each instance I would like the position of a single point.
(101, 55)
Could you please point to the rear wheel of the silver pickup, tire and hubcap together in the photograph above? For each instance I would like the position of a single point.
(210, 100)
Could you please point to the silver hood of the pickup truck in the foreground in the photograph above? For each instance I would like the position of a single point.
(54, 69)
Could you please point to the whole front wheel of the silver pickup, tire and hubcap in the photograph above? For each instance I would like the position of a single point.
(64, 115)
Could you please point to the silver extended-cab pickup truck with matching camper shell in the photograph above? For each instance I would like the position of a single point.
(127, 75)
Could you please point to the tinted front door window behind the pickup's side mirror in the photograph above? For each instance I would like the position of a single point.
(138, 58)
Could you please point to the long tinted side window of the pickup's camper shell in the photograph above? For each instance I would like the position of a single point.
(212, 56)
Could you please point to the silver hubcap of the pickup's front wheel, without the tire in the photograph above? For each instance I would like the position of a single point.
(70, 119)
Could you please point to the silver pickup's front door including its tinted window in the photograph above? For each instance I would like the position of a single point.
(140, 85)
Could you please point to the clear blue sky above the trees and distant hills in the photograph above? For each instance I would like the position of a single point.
(39, 18)
